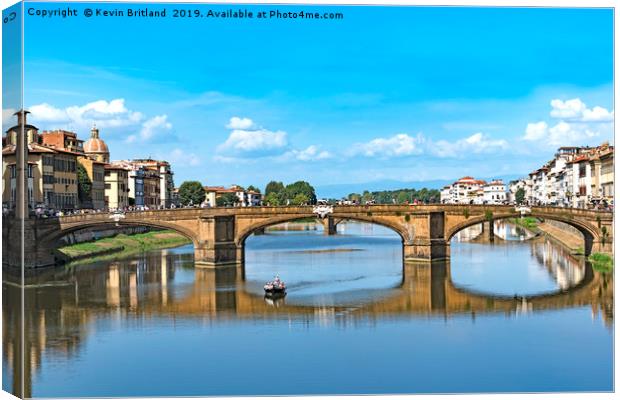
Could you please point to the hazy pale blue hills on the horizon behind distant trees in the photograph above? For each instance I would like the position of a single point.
(336, 191)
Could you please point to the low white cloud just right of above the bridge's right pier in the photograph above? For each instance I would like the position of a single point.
(478, 143)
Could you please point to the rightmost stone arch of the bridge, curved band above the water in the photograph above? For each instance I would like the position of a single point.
(588, 232)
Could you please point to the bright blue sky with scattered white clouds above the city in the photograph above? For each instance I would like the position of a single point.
(386, 93)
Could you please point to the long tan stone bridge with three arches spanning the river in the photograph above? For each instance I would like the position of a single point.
(218, 234)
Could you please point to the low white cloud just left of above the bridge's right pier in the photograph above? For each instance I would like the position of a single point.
(398, 145)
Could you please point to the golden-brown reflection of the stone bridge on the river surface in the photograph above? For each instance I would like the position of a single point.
(61, 306)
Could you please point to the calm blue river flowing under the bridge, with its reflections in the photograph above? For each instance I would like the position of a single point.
(514, 315)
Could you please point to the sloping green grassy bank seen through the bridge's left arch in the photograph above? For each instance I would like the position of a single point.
(121, 245)
